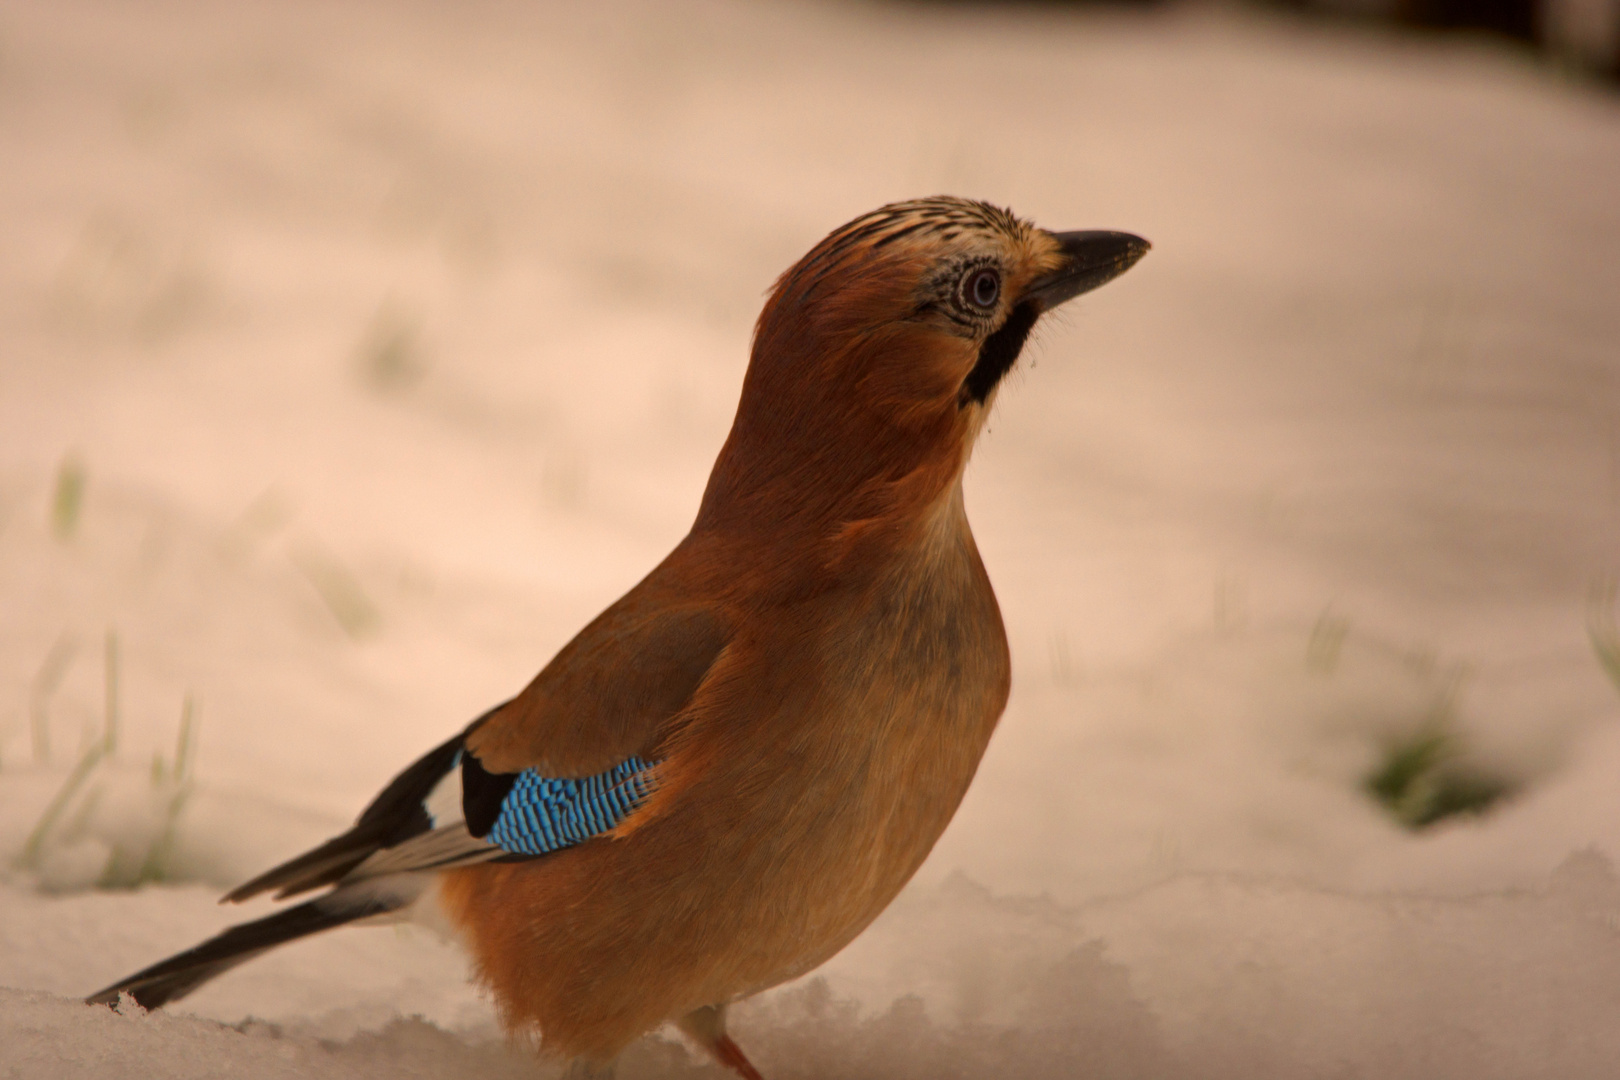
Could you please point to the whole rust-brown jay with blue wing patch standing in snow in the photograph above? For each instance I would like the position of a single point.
(731, 772)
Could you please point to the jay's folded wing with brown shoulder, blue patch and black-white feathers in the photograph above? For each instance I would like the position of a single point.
(569, 759)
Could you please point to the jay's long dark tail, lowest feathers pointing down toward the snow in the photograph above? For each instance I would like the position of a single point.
(182, 974)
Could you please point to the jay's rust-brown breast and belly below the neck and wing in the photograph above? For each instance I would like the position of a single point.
(821, 760)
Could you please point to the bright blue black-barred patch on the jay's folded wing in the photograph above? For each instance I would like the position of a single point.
(545, 814)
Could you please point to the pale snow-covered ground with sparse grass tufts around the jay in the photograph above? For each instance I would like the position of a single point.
(352, 355)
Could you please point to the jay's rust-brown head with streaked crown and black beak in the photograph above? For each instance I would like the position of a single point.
(879, 357)
